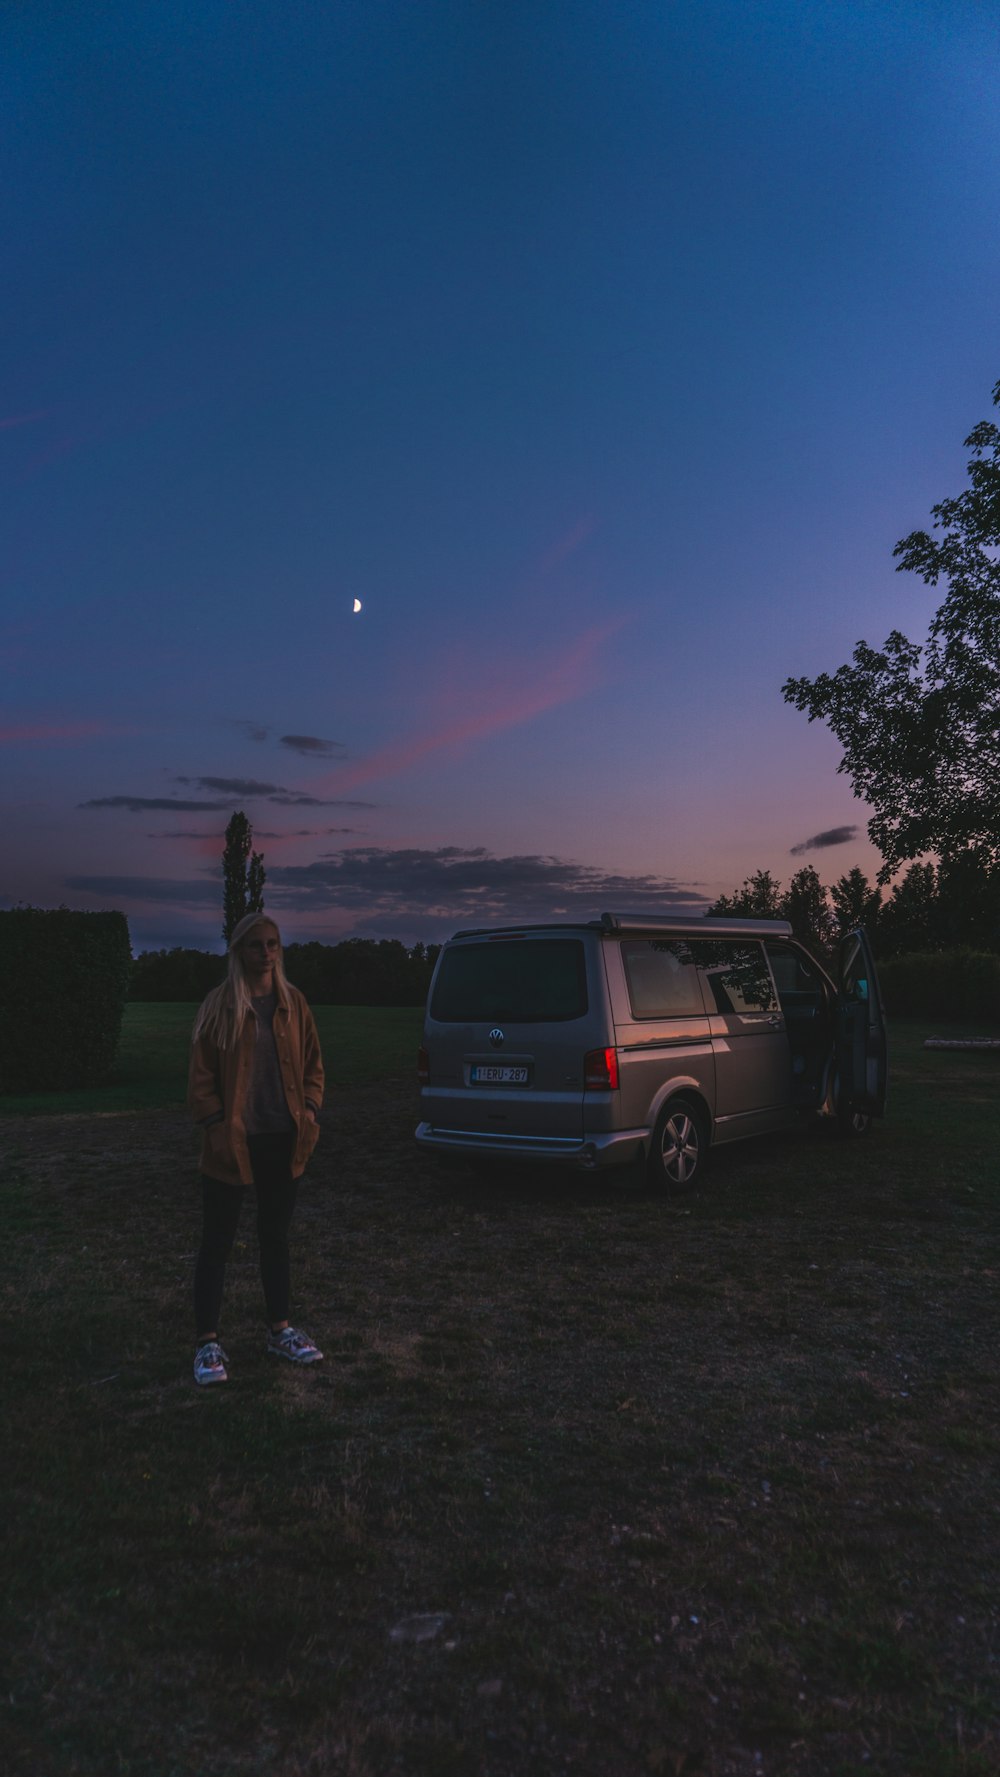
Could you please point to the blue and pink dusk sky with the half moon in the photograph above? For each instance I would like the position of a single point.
(601, 351)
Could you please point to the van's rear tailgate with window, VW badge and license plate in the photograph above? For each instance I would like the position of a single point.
(511, 1019)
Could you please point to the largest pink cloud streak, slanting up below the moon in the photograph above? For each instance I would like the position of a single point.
(505, 706)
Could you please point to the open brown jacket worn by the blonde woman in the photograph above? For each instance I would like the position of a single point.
(218, 1090)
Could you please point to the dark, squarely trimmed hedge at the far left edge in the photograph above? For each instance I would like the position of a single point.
(63, 991)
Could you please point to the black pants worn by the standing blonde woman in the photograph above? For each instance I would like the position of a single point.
(276, 1190)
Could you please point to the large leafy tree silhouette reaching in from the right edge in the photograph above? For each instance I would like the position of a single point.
(921, 724)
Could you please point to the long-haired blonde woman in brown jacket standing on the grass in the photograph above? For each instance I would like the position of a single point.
(255, 1087)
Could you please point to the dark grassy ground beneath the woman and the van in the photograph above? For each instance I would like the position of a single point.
(589, 1483)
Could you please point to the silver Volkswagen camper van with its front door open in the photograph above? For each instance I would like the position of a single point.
(644, 1040)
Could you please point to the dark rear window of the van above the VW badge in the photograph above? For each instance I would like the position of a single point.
(514, 980)
